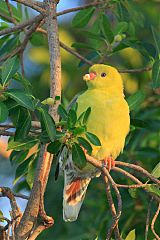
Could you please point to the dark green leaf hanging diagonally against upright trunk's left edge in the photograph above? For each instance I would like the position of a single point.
(48, 123)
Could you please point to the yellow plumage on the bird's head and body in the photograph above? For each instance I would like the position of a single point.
(109, 119)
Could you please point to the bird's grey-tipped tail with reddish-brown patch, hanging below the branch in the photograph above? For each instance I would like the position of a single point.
(73, 196)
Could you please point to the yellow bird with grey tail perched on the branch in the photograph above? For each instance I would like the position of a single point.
(109, 121)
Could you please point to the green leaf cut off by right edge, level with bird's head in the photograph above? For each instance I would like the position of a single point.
(156, 74)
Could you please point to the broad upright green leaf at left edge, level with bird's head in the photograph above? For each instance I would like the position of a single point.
(9, 68)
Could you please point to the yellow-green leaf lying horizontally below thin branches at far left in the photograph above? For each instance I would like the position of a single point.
(22, 145)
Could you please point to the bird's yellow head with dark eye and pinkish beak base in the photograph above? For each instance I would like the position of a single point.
(104, 77)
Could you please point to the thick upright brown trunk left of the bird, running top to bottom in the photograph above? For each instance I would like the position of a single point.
(45, 159)
